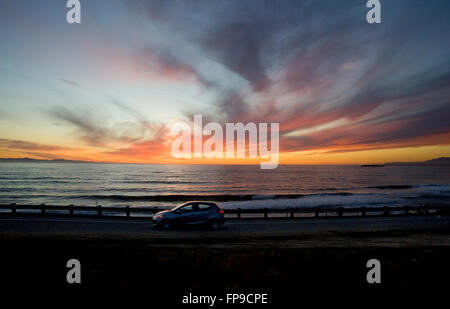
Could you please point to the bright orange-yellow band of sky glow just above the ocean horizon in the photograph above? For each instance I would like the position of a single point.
(310, 157)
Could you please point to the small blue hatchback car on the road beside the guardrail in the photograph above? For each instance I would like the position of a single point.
(191, 213)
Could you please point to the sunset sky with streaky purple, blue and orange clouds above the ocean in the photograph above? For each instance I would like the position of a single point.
(109, 89)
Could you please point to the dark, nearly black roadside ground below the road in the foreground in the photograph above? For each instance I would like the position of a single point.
(284, 267)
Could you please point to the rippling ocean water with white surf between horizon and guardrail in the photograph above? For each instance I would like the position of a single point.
(244, 186)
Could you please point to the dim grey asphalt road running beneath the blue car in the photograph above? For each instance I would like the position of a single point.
(233, 228)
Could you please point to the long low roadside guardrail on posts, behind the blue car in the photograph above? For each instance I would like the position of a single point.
(238, 213)
